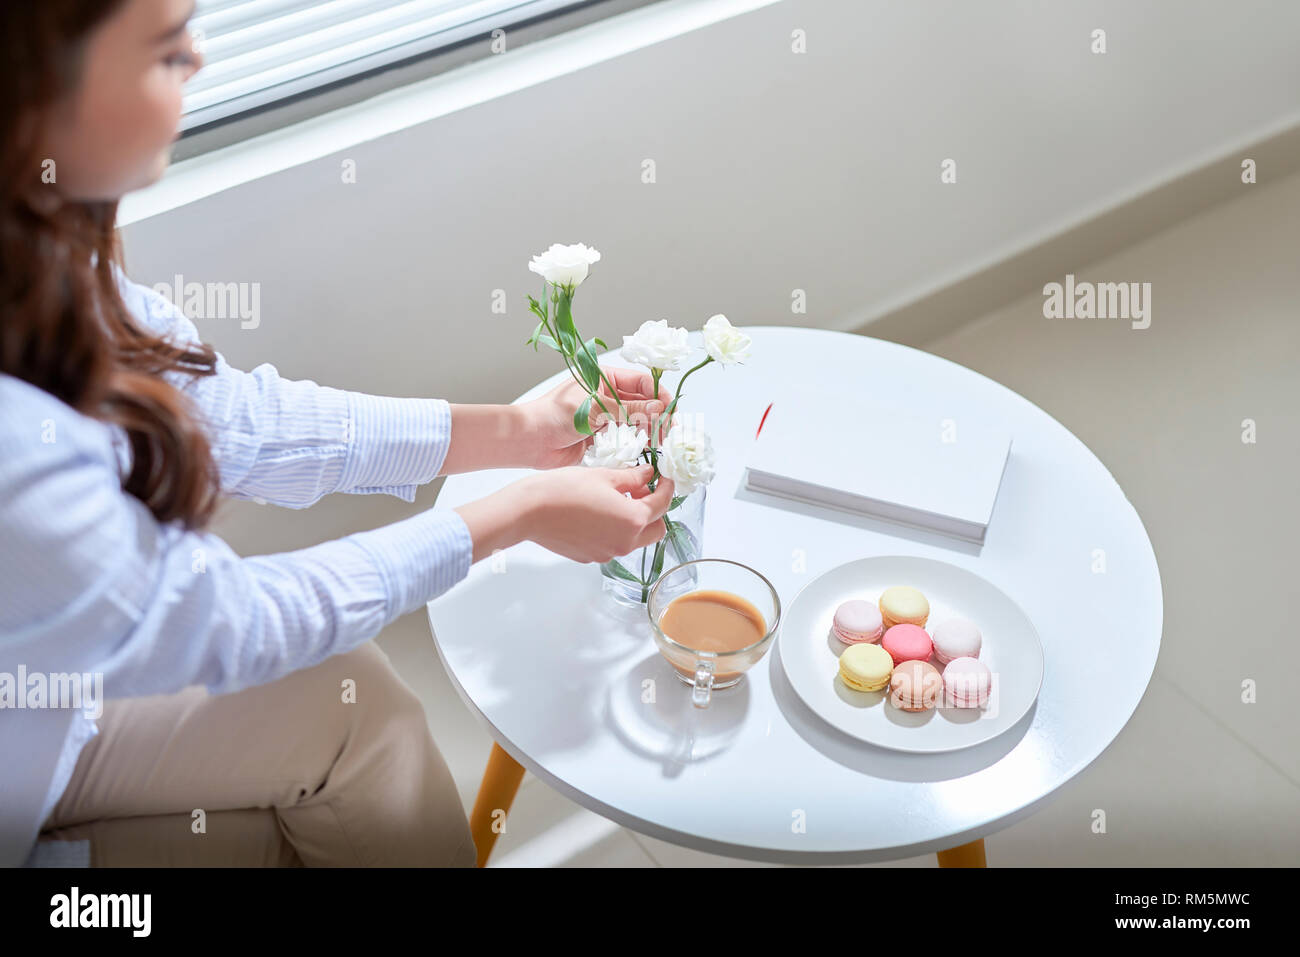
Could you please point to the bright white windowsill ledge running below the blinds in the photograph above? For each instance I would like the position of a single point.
(465, 86)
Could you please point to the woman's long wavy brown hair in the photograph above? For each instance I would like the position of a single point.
(64, 326)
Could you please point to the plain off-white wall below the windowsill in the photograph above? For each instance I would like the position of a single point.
(775, 172)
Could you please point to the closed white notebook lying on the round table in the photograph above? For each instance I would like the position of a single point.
(883, 461)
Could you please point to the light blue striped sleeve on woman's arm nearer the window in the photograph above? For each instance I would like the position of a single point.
(293, 441)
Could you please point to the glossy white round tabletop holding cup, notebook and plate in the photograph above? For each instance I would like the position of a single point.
(558, 673)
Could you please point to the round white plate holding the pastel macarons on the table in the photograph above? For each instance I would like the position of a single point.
(811, 655)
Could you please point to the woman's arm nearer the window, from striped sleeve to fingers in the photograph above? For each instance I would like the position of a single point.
(293, 441)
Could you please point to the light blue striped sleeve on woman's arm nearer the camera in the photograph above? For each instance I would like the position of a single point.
(92, 582)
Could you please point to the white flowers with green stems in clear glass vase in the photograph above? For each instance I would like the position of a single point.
(686, 454)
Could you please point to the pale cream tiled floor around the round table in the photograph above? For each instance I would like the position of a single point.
(1198, 778)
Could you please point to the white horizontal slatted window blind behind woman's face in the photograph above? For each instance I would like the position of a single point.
(261, 51)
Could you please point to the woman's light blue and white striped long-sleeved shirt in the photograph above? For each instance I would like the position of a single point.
(90, 583)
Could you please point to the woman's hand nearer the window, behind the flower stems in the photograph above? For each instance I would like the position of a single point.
(553, 443)
